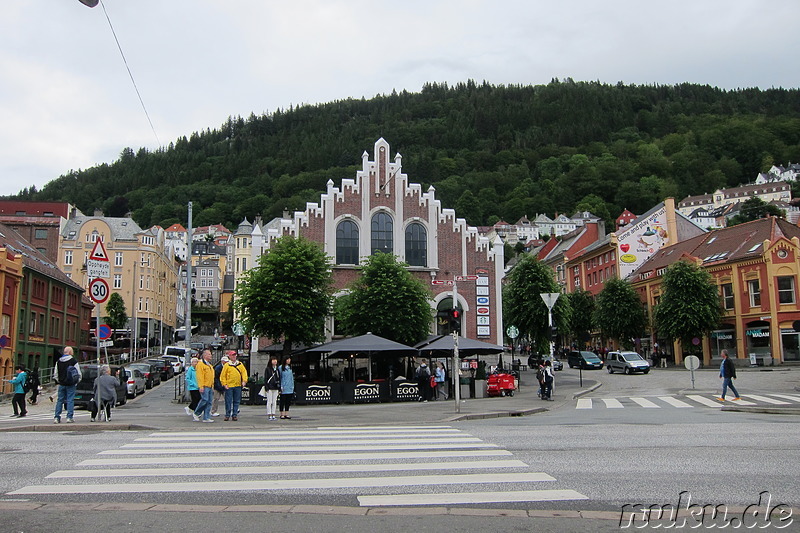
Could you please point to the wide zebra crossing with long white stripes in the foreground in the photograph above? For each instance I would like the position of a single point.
(379, 466)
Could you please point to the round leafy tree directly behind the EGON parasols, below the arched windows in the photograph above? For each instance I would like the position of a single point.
(386, 300)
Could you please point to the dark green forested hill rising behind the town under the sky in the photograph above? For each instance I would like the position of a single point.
(491, 152)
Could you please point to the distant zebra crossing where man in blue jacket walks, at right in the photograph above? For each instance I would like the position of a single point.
(688, 401)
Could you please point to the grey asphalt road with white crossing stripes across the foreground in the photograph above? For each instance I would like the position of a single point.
(600, 459)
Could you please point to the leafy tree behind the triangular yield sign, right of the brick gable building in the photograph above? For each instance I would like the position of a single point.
(523, 306)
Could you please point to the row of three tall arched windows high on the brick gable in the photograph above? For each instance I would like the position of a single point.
(381, 240)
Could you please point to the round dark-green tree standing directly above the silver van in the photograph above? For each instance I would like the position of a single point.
(619, 313)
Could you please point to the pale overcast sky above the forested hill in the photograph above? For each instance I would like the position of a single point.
(67, 102)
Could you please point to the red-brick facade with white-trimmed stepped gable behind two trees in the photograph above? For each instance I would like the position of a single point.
(380, 210)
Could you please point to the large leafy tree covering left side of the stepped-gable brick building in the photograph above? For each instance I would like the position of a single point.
(287, 297)
